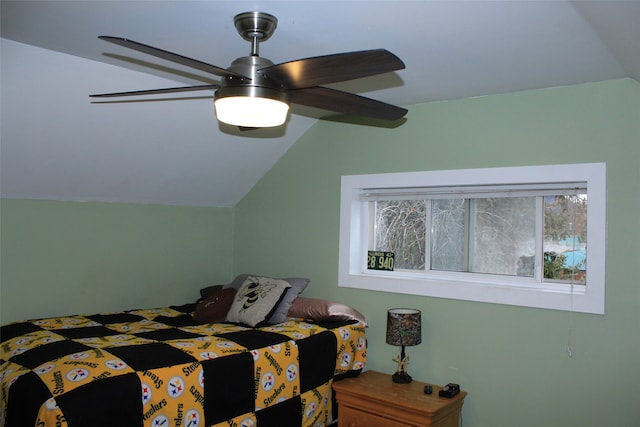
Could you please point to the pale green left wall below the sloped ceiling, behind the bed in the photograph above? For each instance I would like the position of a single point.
(61, 258)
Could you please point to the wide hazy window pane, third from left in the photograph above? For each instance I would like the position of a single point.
(503, 236)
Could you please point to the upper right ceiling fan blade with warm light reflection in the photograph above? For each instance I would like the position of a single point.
(322, 70)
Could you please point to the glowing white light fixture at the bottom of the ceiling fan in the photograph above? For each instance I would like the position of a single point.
(251, 106)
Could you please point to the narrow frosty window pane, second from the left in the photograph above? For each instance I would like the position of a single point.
(449, 224)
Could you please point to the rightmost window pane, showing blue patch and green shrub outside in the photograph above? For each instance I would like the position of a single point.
(565, 238)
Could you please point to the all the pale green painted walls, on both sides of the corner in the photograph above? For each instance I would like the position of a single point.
(67, 257)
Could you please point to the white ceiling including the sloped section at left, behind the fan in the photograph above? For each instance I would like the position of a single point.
(58, 145)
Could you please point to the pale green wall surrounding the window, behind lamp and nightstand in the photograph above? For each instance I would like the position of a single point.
(511, 360)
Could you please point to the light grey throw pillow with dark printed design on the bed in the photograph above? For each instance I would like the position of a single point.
(256, 300)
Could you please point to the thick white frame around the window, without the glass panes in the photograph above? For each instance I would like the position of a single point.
(352, 272)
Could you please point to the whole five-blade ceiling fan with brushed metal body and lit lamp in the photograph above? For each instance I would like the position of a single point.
(254, 92)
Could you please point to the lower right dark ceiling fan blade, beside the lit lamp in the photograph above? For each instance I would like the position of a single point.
(346, 103)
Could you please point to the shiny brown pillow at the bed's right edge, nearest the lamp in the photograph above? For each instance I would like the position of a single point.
(321, 310)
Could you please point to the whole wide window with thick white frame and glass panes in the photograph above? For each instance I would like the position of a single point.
(531, 236)
